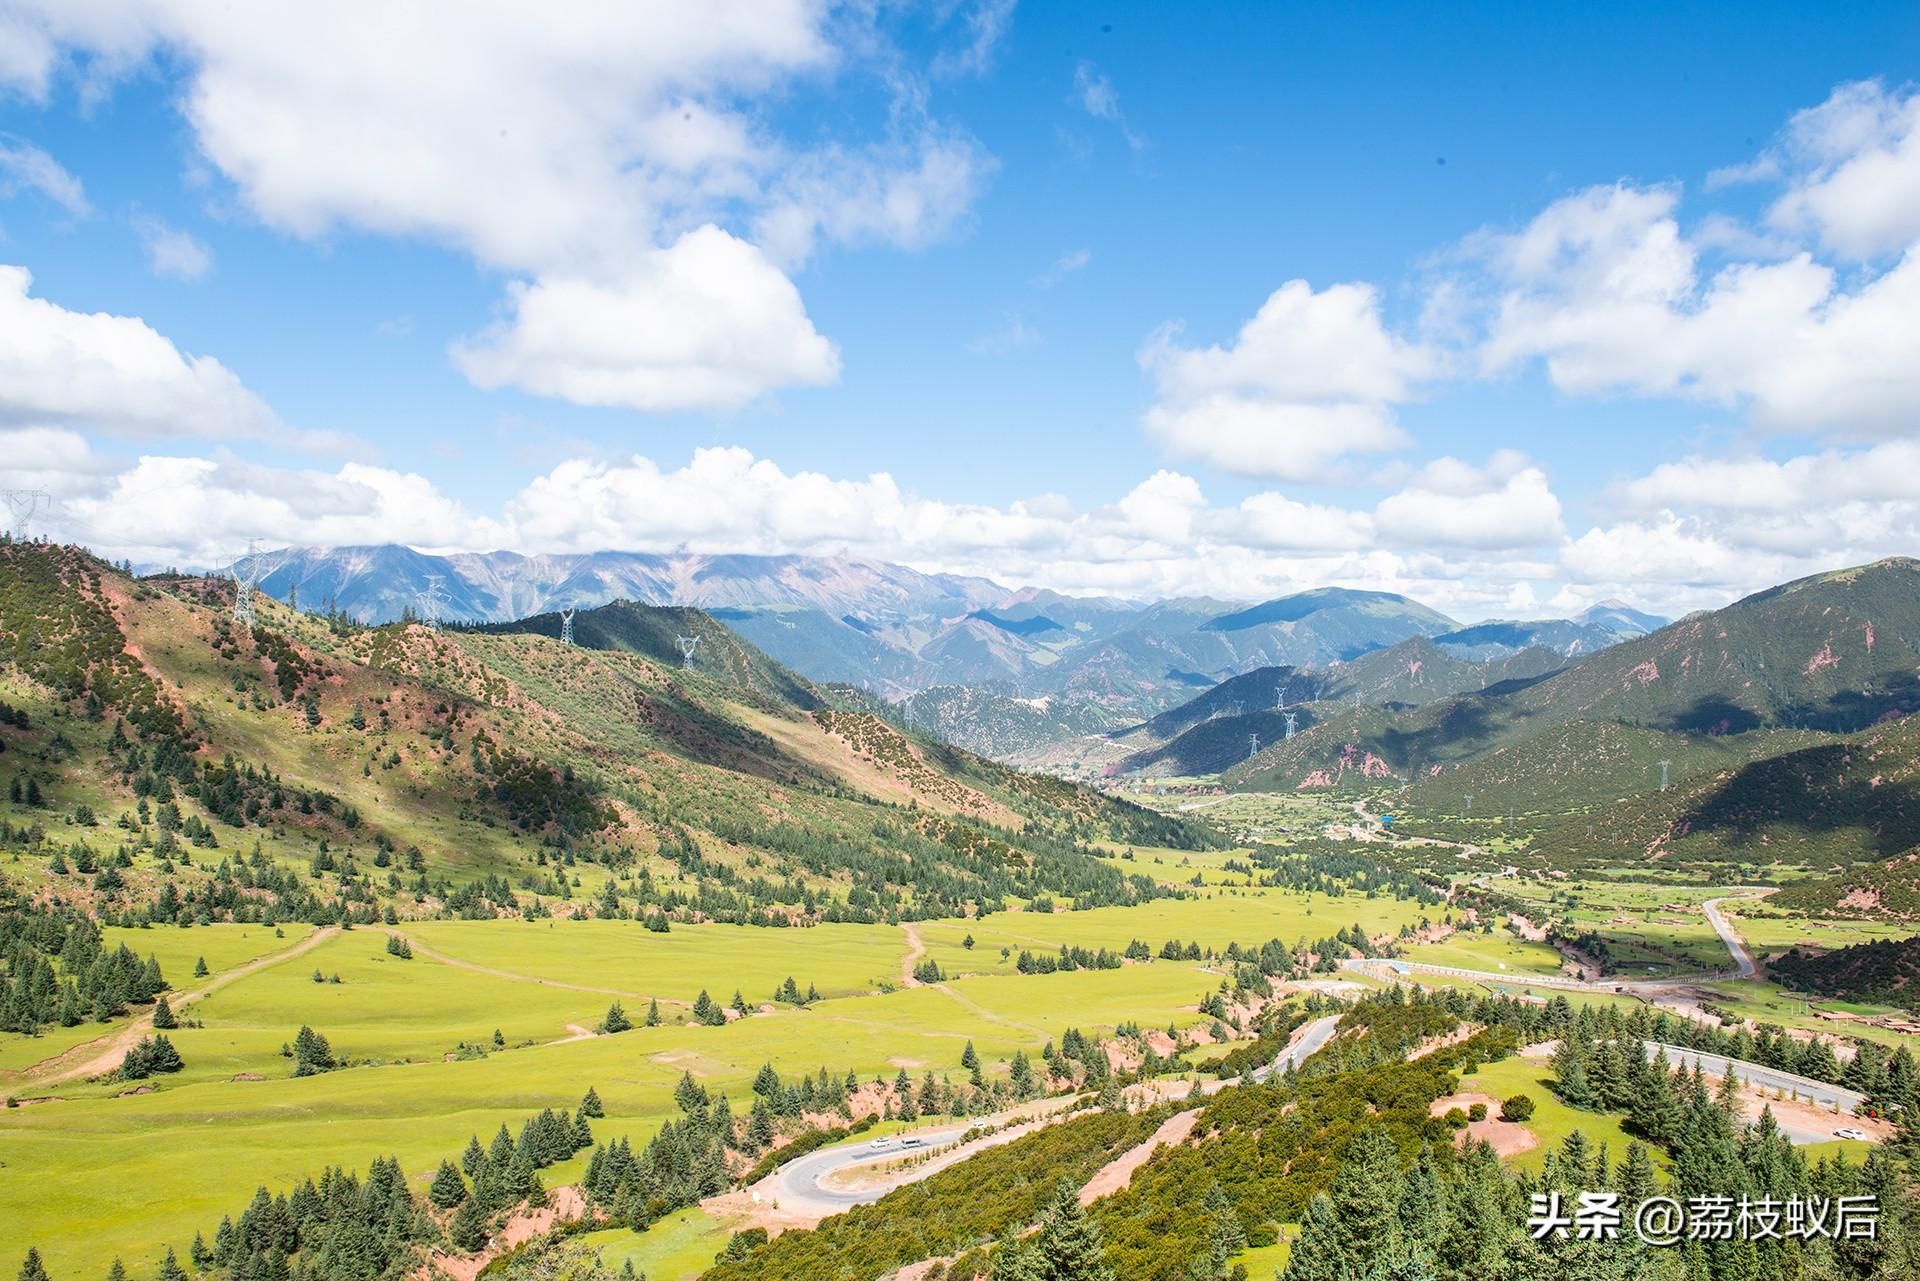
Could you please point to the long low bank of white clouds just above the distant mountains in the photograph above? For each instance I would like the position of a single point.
(1159, 539)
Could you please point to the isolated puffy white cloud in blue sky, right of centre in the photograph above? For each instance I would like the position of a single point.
(1310, 379)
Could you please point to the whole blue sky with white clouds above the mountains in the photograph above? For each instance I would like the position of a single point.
(1550, 306)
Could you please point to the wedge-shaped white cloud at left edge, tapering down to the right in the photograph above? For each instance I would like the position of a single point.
(114, 374)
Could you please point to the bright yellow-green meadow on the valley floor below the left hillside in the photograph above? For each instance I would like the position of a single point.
(421, 1105)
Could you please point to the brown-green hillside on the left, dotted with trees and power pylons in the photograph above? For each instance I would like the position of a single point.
(481, 761)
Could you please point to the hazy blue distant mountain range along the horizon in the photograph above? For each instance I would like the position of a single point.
(1095, 662)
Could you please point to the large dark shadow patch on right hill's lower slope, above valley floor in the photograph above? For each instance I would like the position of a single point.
(1813, 792)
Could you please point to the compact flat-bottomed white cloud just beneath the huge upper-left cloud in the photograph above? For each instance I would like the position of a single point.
(708, 324)
